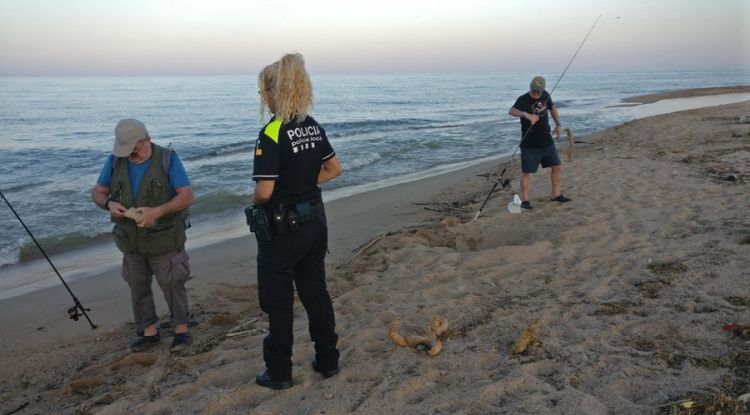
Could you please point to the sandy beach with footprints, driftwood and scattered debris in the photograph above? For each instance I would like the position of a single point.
(641, 286)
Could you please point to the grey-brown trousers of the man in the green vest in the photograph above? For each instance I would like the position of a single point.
(172, 270)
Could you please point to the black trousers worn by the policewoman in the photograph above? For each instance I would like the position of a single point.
(296, 259)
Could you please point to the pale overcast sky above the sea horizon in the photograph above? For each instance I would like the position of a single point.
(158, 37)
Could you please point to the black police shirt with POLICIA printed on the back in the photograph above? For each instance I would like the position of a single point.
(292, 154)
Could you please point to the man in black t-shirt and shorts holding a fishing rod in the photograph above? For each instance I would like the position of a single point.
(537, 145)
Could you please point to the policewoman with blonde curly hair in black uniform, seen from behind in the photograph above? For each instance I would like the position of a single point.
(292, 158)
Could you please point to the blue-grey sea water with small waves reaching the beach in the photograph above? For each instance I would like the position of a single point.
(57, 132)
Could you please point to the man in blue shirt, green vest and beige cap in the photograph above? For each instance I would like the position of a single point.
(147, 192)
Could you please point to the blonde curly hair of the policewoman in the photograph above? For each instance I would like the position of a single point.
(288, 81)
